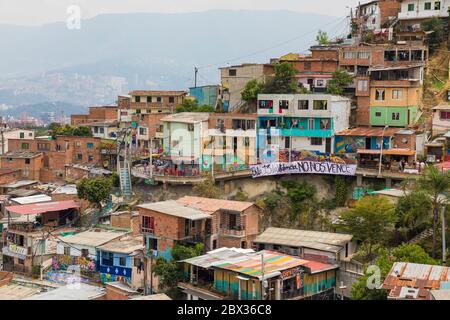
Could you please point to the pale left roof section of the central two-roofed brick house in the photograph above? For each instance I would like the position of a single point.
(176, 209)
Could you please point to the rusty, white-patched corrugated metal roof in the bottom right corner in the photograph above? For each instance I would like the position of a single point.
(414, 276)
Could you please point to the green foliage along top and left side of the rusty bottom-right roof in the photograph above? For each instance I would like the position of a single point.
(405, 253)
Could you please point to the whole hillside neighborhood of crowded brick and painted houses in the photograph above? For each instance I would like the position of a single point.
(312, 176)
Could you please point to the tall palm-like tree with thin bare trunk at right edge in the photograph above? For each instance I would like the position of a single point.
(436, 185)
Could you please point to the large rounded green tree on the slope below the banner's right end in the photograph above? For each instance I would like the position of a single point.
(370, 221)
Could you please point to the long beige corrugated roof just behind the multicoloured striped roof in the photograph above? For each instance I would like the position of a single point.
(326, 241)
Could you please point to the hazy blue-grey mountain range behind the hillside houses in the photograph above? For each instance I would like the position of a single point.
(112, 54)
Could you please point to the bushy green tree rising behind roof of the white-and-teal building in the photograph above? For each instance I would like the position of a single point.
(284, 81)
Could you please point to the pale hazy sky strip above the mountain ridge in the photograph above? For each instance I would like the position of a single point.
(35, 12)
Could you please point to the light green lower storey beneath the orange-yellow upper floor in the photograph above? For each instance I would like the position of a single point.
(393, 116)
